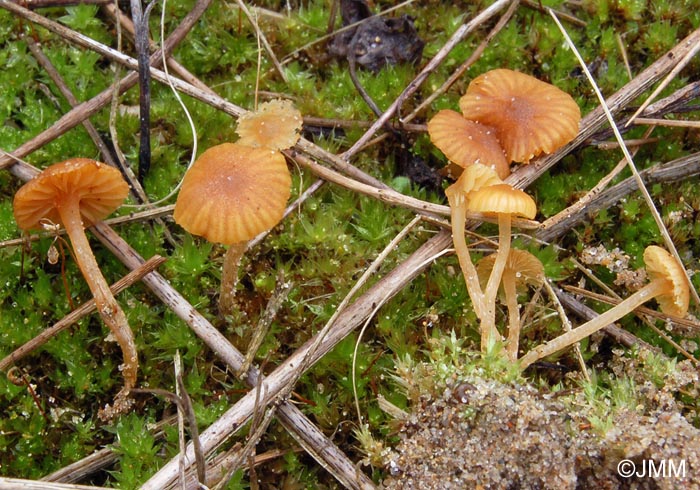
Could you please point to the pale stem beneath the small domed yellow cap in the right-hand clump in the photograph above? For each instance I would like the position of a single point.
(488, 322)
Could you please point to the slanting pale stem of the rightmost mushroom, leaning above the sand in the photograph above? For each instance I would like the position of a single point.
(648, 292)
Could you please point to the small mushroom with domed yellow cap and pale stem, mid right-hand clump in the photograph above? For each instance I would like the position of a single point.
(505, 202)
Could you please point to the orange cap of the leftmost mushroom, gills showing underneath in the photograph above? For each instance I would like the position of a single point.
(99, 188)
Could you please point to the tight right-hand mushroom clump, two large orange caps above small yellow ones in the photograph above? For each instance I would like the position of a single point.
(506, 116)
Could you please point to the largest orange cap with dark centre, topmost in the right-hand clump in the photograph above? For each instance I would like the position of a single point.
(530, 116)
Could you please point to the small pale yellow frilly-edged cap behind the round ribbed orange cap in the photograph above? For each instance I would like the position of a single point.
(276, 125)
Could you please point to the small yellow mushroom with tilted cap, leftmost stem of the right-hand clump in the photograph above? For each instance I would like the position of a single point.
(473, 177)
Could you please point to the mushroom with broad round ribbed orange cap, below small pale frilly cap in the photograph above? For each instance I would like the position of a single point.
(231, 194)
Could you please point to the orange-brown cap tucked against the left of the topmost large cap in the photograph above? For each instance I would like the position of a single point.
(467, 142)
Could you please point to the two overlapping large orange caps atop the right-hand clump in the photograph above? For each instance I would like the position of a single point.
(507, 116)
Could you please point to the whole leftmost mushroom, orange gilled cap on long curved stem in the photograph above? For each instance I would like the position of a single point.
(77, 193)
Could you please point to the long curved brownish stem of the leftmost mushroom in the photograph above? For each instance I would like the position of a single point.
(110, 311)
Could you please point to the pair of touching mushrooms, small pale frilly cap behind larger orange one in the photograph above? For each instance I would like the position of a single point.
(234, 191)
